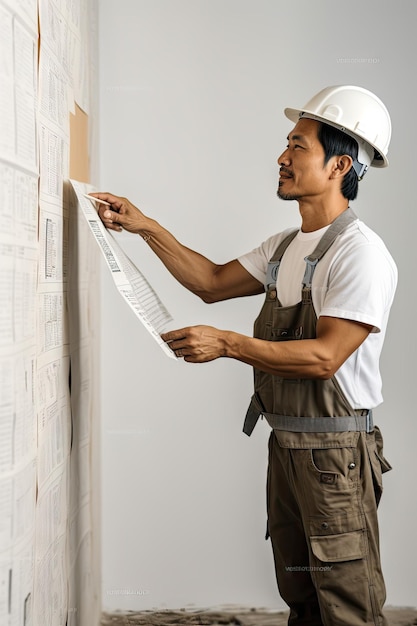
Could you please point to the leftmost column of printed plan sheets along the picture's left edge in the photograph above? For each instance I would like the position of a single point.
(18, 286)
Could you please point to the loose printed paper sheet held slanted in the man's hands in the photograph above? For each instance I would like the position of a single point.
(130, 282)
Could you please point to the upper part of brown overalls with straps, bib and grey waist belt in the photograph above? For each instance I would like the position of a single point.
(300, 405)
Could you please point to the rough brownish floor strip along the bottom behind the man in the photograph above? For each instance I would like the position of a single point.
(395, 616)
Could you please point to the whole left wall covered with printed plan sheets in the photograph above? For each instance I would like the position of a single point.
(45, 509)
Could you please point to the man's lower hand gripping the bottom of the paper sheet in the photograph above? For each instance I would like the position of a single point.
(197, 344)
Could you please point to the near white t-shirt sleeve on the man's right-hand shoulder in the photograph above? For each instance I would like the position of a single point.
(361, 286)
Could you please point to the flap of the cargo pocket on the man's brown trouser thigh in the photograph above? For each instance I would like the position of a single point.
(341, 547)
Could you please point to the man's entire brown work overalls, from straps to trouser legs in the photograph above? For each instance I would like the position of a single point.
(324, 474)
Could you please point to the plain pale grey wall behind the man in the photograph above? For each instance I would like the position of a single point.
(192, 97)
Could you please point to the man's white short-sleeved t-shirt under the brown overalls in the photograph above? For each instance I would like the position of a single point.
(356, 280)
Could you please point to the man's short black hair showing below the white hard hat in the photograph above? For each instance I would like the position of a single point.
(336, 143)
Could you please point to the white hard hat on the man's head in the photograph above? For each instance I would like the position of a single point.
(358, 113)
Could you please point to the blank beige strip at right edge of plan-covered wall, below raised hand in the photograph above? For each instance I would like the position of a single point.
(82, 298)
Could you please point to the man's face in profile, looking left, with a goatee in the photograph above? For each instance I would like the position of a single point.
(302, 171)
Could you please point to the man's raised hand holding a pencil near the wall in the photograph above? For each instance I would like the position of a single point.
(121, 215)
